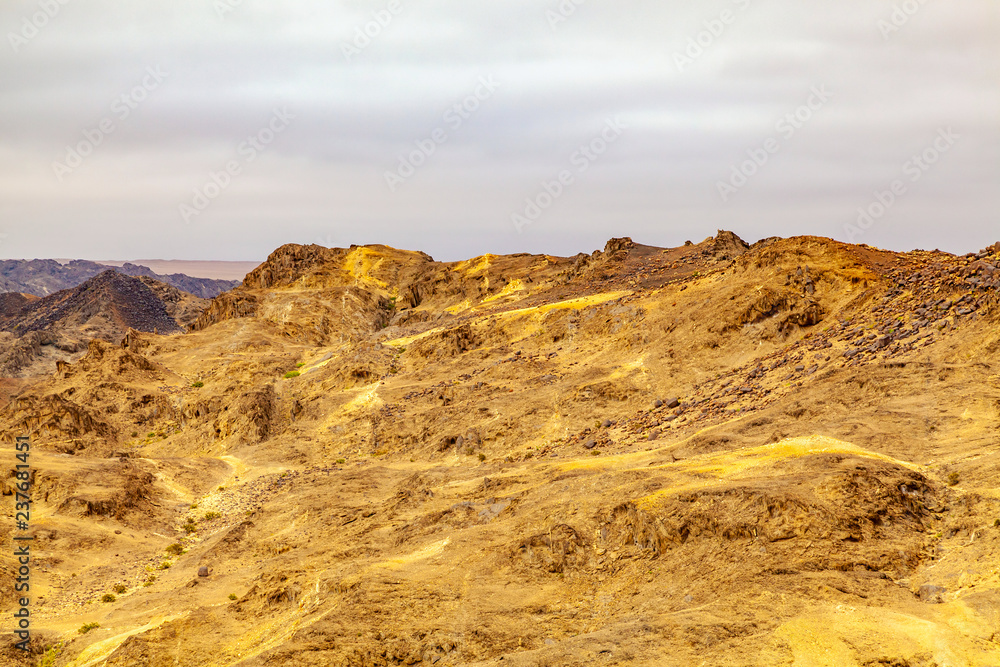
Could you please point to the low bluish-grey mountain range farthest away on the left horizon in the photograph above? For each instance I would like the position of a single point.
(42, 277)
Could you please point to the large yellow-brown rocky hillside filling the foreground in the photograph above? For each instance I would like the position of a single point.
(782, 453)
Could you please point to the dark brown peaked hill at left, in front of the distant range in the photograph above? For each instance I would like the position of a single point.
(37, 332)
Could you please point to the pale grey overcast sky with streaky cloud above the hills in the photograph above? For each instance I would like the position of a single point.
(222, 129)
